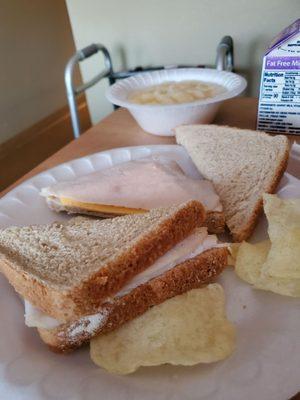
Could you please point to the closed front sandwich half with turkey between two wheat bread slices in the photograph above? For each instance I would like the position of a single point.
(89, 276)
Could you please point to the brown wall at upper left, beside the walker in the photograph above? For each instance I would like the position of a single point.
(35, 43)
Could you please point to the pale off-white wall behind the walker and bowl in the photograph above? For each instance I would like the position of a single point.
(143, 32)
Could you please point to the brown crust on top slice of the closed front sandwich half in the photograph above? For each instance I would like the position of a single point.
(87, 297)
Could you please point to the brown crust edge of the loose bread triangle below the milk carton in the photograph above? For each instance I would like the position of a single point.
(248, 230)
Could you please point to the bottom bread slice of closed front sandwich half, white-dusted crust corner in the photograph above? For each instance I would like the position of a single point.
(188, 275)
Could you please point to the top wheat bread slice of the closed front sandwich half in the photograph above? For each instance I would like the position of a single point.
(67, 270)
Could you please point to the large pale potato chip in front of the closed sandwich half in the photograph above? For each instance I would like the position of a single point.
(185, 330)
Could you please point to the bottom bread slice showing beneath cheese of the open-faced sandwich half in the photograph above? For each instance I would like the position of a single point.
(215, 220)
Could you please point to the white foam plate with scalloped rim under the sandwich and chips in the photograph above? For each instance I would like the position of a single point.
(265, 364)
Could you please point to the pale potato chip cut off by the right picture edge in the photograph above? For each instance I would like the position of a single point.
(283, 216)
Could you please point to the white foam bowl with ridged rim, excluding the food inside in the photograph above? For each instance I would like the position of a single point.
(161, 119)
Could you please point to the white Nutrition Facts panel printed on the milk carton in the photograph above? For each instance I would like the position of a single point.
(279, 108)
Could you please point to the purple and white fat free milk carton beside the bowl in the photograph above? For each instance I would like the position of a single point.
(279, 101)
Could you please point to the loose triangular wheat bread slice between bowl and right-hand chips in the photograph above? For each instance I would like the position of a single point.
(243, 165)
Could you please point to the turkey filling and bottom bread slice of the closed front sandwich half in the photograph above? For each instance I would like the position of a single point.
(195, 261)
